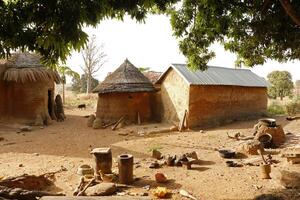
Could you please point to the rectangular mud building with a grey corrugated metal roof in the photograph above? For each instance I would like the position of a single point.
(217, 95)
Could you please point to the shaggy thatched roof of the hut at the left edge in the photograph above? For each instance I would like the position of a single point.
(26, 67)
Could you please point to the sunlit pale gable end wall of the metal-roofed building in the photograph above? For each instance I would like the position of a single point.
(174, 97)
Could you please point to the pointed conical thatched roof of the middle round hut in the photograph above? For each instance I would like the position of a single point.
(127, 78)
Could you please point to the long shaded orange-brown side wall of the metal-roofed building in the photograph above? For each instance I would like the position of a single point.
(214, 105)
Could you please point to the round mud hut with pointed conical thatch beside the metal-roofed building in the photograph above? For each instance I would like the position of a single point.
(124, 93)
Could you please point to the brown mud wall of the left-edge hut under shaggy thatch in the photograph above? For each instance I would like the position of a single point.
(24, 101)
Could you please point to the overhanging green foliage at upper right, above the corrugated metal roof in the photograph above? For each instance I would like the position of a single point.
(255, 30)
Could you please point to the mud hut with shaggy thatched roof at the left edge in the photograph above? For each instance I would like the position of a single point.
(26, 89)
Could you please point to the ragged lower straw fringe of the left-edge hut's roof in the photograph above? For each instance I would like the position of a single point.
(31, 75)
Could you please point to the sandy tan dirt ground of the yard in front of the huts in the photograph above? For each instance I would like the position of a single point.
(68, 144)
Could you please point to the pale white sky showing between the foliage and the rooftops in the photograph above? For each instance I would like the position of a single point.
(151, 44)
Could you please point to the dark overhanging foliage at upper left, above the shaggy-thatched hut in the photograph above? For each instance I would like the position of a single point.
(54, 28)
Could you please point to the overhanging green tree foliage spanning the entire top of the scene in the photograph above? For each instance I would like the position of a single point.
(256, 30)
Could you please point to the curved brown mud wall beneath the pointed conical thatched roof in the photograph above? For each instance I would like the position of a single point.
(112, 106)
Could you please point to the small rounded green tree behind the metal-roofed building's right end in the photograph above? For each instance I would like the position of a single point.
(281, 84)
